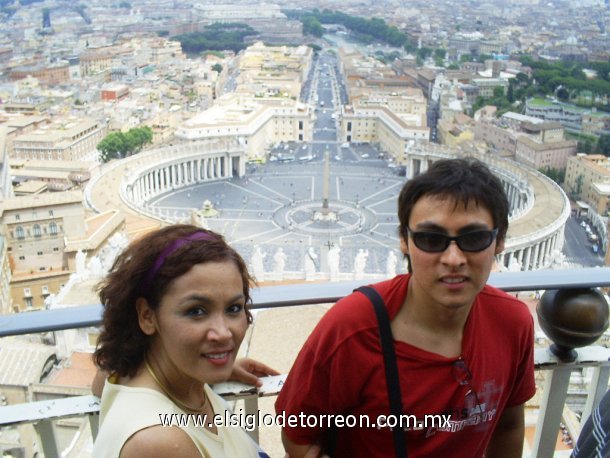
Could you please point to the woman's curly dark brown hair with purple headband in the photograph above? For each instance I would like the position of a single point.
(145, 269)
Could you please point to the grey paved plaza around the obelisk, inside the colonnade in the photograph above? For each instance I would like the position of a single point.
(281, 205)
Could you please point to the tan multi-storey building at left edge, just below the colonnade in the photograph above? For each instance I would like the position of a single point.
(43, 235)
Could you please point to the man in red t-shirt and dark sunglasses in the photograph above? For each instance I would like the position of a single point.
(464, 350)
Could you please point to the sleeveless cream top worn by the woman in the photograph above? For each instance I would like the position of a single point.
(126, 410)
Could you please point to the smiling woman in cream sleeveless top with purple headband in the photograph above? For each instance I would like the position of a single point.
(175, 315)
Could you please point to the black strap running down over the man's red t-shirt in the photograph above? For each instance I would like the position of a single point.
(391, 368)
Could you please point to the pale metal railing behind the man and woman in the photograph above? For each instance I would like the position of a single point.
(553, 397)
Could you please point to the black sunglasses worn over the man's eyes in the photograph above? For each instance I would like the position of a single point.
(436, 242)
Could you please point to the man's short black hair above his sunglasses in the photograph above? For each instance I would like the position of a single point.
(463, 180)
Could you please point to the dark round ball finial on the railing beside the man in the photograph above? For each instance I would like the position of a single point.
(571, 318)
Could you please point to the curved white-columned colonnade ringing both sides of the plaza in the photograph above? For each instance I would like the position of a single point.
(539, 208)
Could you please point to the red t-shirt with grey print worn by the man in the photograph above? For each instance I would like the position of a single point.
(340, 370)
